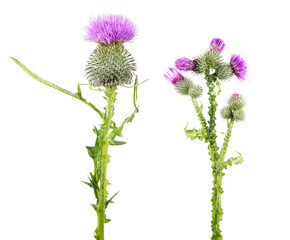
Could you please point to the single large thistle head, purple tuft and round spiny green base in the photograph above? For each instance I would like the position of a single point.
(110, 64)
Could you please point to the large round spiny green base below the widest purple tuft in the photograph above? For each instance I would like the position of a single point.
(110, 65)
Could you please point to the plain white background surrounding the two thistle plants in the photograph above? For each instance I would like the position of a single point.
(164, 179)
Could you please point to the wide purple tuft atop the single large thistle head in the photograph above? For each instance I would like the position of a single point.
(110, 28)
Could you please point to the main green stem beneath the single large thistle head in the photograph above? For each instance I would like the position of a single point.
(103, 161)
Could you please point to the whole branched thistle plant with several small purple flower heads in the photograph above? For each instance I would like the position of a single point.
(216, 72)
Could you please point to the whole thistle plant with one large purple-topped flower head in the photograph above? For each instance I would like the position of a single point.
(110, 65)
